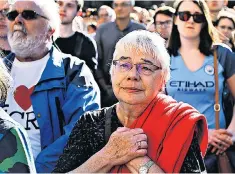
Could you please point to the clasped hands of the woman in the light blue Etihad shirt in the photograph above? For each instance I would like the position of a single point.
(219, 140)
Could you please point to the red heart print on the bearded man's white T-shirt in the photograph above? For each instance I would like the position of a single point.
(22, 96)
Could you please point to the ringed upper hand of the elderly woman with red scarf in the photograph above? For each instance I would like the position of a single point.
(125, 144)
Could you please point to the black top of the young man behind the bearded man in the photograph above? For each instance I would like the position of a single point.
(81, 46)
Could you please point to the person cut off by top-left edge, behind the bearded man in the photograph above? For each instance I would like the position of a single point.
(4, 45)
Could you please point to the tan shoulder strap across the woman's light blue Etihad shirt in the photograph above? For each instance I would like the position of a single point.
(217, 105)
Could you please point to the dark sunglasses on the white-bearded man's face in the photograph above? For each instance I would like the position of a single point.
(26, 14)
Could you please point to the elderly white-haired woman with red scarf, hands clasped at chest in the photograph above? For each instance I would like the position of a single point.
(146, 131)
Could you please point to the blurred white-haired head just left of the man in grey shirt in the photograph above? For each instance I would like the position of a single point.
(105, 14)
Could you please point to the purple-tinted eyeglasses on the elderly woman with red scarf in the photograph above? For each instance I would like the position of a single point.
(142, 68)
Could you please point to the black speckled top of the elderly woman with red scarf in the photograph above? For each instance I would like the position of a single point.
(88, 137)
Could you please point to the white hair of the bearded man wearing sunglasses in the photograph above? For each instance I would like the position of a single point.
(51, 10)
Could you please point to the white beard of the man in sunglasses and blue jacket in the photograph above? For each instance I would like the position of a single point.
(24, 45)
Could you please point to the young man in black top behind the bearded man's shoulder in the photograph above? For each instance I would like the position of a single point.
(73, 42)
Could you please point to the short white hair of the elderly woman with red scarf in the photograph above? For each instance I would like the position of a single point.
(147, 43)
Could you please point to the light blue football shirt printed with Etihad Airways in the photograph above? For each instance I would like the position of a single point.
(197, 88)
